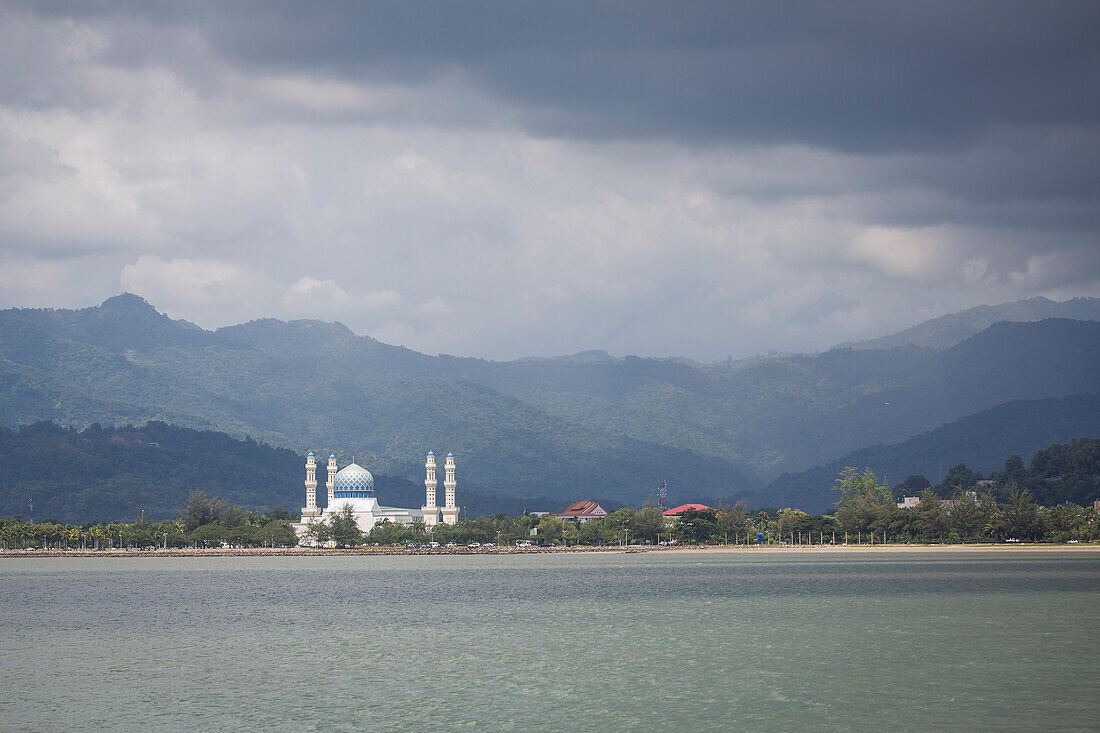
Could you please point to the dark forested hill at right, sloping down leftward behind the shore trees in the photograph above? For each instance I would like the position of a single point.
(983, 442)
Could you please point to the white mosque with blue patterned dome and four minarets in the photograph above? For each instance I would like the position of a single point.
(354, 486)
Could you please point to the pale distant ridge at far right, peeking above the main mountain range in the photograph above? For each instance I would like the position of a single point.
(948, 331)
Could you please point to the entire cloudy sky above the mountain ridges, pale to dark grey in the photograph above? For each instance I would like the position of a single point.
(512, 179)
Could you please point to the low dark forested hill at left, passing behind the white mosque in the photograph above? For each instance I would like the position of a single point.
(113, 475)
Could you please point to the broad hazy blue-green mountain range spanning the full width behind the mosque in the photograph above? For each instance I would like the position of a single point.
(562, 429)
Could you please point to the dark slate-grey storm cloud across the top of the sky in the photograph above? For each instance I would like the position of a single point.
(850, 76)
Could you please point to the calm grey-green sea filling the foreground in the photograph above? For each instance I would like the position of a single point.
(718, 642)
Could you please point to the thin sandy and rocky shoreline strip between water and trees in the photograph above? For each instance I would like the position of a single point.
(719, 550)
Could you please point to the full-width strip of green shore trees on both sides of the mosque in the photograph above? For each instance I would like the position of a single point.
(866, 513)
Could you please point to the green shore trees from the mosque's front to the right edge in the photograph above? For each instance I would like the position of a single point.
(865, 512)
